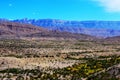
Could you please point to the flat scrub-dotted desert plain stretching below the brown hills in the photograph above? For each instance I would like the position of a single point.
(59, 59)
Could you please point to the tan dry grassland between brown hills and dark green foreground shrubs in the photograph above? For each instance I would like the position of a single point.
(51, 53)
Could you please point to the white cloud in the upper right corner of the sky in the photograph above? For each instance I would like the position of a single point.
(110, 5)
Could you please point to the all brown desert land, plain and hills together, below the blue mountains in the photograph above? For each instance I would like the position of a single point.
(33, 53)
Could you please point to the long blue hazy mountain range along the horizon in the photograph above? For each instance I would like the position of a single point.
(94, 28)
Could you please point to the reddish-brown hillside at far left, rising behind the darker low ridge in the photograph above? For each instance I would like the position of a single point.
(14, 30)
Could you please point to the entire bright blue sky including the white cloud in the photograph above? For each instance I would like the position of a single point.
(61, 9)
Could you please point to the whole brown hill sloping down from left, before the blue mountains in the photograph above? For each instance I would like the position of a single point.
(17, 30)
